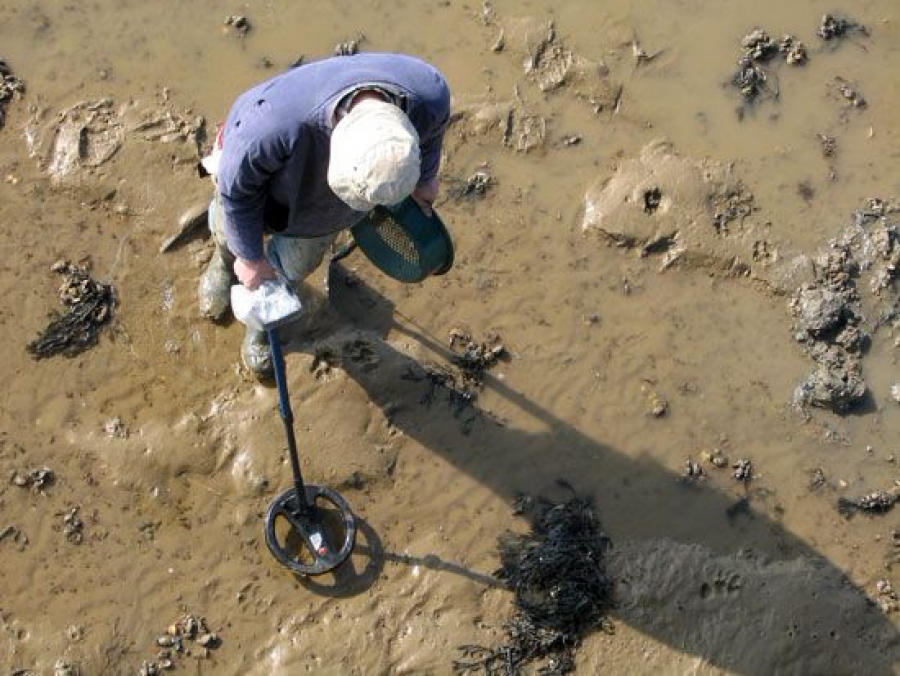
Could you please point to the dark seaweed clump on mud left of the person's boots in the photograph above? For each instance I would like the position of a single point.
(90, 305)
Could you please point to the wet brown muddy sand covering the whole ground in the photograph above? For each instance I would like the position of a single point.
(690, 263)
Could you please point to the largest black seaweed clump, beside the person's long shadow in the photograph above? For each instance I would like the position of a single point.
(562, 592)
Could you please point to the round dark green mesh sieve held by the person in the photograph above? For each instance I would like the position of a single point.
(403, 242)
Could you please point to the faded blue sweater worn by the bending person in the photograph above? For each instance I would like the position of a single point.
(276, 144)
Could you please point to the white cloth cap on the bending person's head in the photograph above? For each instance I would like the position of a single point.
(374, 156)
